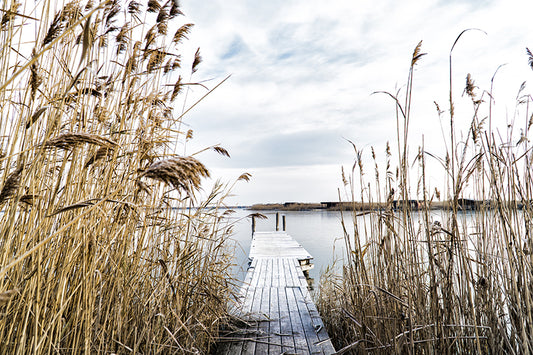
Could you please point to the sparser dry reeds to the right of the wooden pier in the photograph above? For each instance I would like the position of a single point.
(420, 283)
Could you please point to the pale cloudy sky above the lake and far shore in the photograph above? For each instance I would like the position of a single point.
(303, 73)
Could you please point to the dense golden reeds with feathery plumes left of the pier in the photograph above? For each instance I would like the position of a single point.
(94, 255)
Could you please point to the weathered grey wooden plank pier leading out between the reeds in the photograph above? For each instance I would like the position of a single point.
(275, 303)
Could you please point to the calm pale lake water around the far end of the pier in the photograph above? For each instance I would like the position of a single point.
(321, 233)
